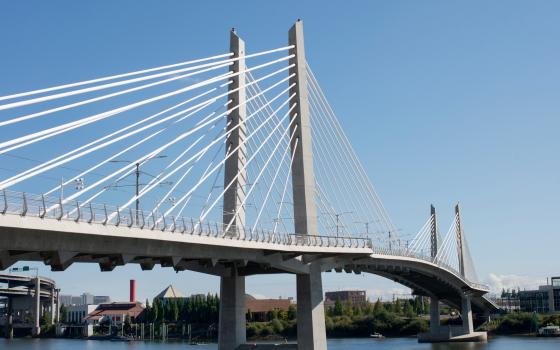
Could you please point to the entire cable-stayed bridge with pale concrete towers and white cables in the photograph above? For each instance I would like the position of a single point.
(231, 165)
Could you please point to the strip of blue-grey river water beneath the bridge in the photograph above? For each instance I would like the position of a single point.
(495, 343)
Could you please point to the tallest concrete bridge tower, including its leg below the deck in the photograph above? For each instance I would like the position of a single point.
(310, 309)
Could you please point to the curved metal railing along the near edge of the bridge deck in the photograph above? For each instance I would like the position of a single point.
(25, 204)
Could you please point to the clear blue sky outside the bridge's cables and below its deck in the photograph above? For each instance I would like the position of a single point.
(444, 101)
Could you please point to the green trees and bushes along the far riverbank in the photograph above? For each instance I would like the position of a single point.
(197, 321)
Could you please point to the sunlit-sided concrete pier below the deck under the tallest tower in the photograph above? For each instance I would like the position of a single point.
(311, 311)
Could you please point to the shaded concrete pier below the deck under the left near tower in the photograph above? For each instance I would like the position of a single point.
(232, 328)
